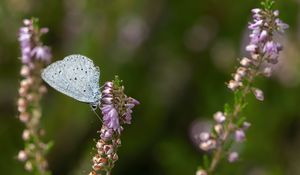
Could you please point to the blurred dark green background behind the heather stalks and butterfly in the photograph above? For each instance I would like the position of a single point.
(174, 57)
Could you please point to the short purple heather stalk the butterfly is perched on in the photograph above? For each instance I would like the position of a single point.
(116, 109)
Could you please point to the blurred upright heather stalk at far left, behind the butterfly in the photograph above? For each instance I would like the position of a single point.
(34, 57)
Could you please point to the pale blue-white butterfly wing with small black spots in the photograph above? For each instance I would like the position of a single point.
(75, 76)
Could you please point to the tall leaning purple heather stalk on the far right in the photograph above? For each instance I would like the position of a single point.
(230, 126)
